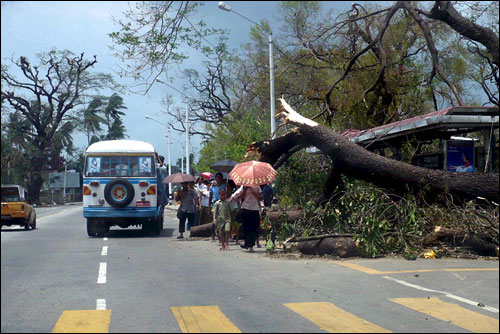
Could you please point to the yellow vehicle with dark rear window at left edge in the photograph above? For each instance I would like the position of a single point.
(17, 208)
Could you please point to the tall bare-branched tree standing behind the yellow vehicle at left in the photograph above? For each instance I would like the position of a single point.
(45, 96)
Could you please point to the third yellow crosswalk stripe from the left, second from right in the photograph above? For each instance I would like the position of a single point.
(333, 319)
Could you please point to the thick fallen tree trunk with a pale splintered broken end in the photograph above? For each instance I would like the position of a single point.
(355, 161)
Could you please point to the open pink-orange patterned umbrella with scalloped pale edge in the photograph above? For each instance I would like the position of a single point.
(253, 173)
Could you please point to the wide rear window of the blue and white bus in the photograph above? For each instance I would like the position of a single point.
(116, 166)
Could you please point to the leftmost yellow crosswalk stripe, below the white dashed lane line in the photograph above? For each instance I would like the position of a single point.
(84, 321)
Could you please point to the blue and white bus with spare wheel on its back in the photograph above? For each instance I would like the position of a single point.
(120, 187)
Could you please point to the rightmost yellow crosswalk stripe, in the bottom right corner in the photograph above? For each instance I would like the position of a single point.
(451, 313)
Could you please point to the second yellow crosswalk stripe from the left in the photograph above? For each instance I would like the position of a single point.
(203, 319)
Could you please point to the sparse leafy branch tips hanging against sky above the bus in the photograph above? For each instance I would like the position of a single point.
(157, 34)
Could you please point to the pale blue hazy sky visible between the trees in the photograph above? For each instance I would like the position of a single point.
(31, 27)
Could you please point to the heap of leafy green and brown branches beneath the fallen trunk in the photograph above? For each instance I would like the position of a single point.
(380, 222)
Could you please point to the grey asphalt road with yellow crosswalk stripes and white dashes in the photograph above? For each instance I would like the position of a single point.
(56, 278)
